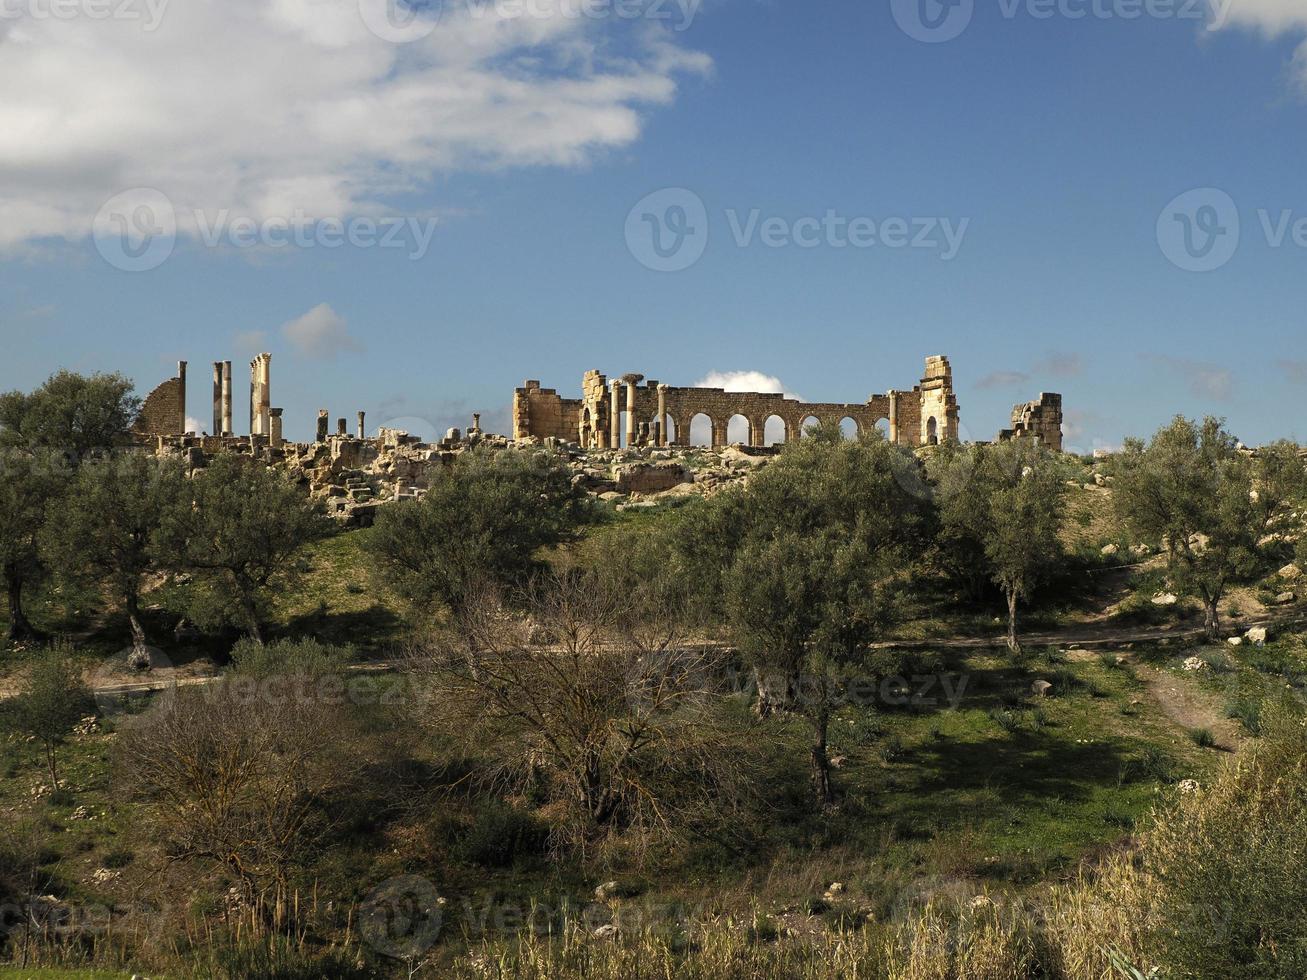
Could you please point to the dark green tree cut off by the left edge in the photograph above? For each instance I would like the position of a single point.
(29, 483)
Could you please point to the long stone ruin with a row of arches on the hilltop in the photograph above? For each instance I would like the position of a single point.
(631, 411)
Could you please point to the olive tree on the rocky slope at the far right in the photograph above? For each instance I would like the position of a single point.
(1207, 502)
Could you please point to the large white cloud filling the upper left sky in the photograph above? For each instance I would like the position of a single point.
(271, 108)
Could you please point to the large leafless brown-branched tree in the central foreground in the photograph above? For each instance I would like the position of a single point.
(598, 700)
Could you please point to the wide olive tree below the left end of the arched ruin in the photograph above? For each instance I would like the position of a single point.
(483, 522)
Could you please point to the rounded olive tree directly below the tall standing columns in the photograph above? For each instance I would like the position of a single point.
(239, 530)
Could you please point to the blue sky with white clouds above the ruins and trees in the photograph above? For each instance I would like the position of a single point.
(1057, 144)
